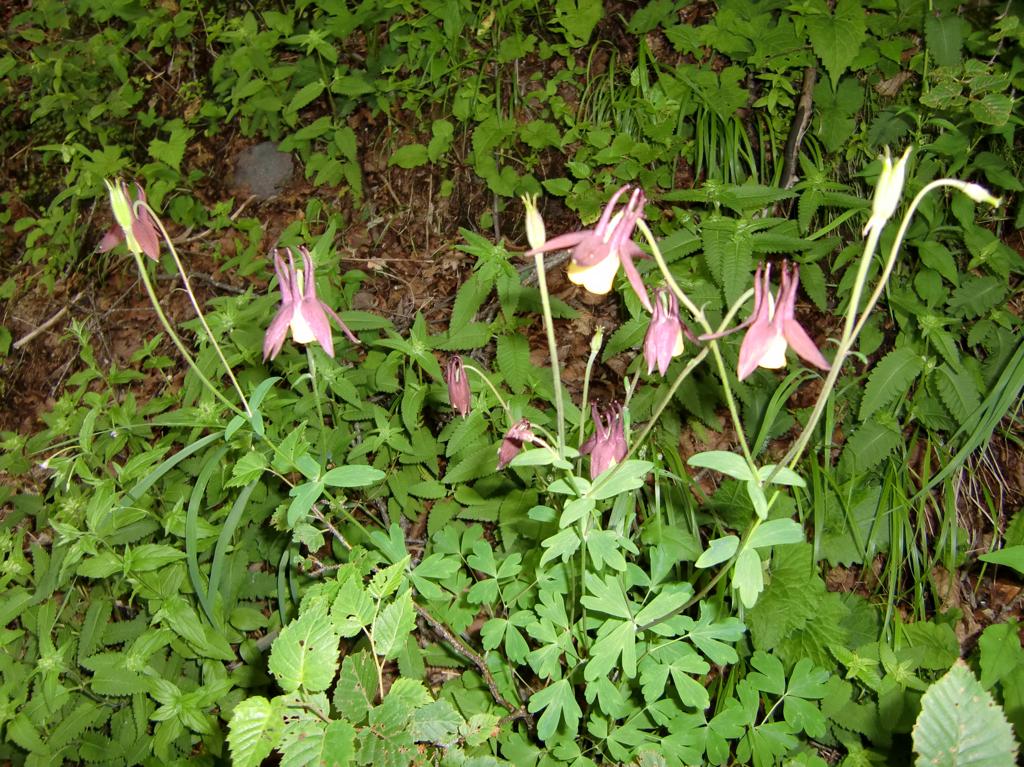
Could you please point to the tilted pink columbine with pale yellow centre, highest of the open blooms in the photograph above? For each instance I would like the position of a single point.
(599, 252)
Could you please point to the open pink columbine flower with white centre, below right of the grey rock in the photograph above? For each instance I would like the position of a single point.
(301, 310)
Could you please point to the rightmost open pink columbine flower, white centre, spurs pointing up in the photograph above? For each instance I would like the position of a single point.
(775, 326)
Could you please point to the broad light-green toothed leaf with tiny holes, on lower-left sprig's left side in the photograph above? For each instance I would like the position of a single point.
(306, 655)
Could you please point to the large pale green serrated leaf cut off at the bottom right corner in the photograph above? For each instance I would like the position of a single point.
(961, 726)
